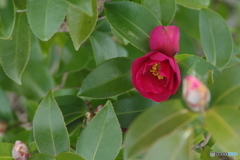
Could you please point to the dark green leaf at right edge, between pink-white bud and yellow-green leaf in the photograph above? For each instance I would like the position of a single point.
(228, 93)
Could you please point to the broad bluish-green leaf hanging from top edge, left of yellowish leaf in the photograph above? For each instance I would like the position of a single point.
(46, 16)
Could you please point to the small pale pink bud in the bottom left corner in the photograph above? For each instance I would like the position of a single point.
(20, 151)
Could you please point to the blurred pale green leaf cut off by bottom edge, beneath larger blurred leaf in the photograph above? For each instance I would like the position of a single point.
(177, 146)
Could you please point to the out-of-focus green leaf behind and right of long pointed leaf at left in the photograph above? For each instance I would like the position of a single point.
(36, 79)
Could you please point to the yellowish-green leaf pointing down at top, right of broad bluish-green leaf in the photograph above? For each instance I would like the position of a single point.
(81, 24)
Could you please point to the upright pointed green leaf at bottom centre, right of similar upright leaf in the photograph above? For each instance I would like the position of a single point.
(102, 135)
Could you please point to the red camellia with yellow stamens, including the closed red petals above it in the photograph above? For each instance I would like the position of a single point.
(156, 75)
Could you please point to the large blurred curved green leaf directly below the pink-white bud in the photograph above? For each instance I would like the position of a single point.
(157, 122)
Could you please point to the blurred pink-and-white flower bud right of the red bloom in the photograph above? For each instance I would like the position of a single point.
(195, 93)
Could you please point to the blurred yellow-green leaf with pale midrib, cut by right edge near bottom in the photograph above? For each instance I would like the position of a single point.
(223, 124)
